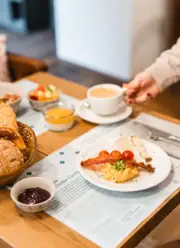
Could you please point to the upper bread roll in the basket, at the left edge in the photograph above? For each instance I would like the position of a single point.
(8, 123)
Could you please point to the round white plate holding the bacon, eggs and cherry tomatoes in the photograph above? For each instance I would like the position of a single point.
(160, 162)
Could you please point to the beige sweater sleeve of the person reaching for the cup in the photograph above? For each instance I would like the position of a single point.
(166, 69)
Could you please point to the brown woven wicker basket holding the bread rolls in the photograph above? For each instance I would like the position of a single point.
(29, 138)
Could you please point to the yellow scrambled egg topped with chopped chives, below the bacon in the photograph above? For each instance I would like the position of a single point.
(118, 176)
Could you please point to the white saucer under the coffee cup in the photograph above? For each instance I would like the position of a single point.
(88, 115)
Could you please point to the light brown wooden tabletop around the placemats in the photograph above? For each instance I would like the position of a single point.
(41, 230)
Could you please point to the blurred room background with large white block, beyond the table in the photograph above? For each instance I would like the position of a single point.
(91, 41)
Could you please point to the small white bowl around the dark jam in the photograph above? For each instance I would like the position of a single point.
(31, 182)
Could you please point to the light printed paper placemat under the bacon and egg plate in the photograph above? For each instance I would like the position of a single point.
(104, 217)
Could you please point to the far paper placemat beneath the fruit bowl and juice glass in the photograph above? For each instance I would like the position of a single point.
(28, 115)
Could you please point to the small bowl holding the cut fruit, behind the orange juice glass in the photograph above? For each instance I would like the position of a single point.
(41, 105)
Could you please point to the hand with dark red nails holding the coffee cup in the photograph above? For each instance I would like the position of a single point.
(141, 89)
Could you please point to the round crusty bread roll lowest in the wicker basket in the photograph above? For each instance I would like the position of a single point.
(11, 159)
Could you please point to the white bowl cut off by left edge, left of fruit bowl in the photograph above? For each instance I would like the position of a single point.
(10, 88)
